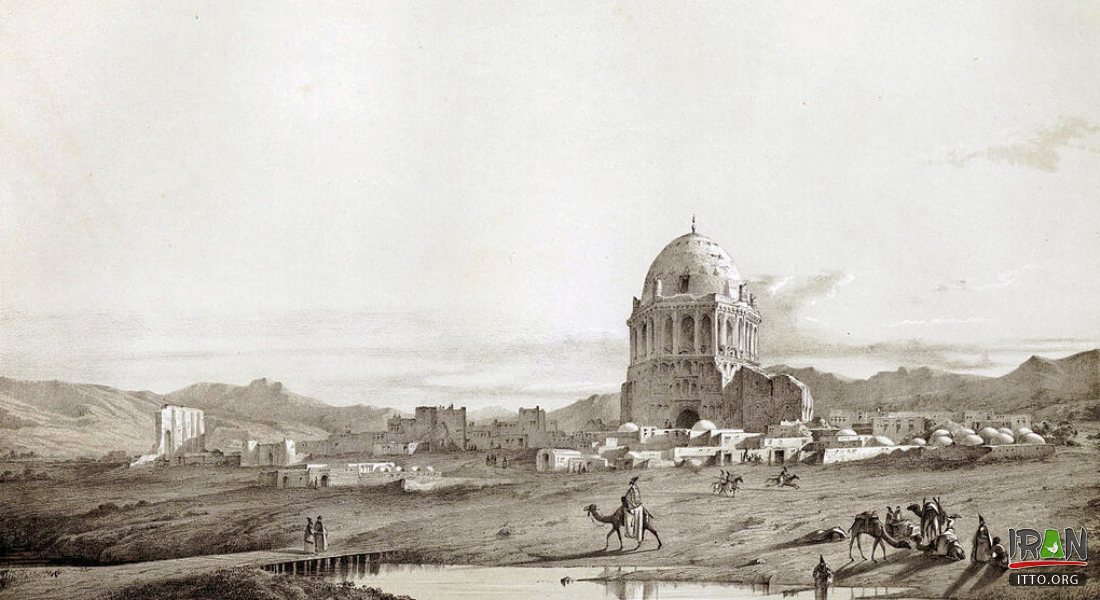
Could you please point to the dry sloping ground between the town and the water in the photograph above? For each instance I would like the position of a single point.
(202, 511)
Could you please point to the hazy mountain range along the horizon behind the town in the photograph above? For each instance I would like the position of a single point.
(71, 420)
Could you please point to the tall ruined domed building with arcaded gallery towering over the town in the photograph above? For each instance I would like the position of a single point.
(695, 347)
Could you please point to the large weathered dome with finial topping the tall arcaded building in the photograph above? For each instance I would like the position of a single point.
(692, 265)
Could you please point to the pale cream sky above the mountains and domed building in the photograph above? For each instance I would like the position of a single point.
(426, 203)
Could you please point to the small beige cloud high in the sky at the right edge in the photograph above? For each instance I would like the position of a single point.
(1042, 150)
